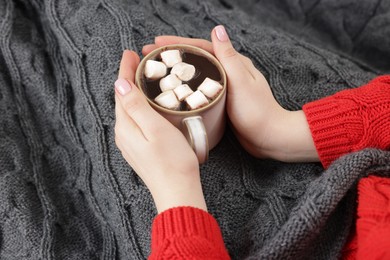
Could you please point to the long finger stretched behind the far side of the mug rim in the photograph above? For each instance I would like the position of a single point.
(169, 39)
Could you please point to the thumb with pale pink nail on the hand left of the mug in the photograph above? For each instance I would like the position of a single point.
(136, 106)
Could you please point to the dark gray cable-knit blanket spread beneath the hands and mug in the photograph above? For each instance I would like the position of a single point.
(67, 193)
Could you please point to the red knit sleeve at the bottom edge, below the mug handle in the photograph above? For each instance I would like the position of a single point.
(186, 233)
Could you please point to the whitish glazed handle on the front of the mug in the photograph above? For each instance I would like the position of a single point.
(197, 137)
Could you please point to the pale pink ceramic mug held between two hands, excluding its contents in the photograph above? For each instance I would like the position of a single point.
(203, 127)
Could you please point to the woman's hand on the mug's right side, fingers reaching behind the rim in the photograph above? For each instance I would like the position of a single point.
(261, 125)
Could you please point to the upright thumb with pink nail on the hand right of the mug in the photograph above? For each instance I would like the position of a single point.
(230, 59)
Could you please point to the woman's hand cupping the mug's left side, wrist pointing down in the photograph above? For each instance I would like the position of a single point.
(157, 151)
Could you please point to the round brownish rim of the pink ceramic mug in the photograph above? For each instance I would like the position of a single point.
(195, 50)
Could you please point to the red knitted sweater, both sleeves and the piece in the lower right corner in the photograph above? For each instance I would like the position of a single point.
(348, 121)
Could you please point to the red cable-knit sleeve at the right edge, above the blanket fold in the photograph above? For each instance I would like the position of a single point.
(351, 120)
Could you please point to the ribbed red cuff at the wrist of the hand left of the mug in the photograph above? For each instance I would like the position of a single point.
(186, 222)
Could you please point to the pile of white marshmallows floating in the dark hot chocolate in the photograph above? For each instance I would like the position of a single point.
(173, 90)
